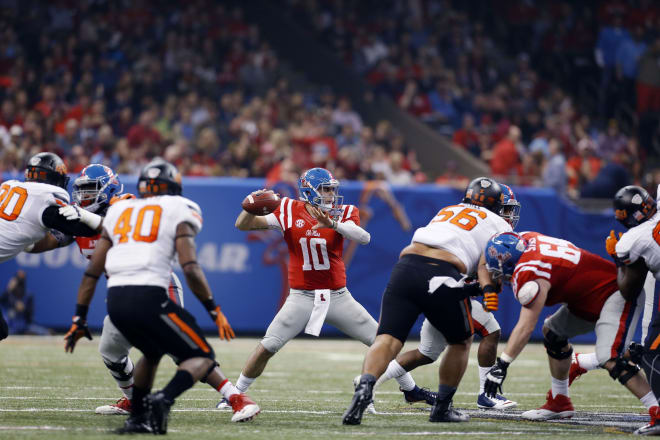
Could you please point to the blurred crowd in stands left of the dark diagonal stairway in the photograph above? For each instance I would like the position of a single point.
(121, 82)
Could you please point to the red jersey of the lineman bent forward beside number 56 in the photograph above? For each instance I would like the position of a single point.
(581, 280)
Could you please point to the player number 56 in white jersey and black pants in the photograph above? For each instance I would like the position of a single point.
(428, 279)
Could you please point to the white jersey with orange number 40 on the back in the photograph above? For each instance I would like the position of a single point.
(143, 238)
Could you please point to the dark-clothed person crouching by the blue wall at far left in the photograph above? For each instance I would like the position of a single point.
(18, 308)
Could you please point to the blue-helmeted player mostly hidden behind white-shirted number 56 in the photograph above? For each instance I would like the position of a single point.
(432, 343)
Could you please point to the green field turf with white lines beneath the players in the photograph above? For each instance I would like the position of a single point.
(47, 394)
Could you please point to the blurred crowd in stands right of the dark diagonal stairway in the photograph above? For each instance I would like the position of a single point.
(509, 81)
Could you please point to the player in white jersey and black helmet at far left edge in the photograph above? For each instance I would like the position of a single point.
(29, 209)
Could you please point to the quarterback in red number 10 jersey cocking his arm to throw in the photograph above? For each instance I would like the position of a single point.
(314, 229)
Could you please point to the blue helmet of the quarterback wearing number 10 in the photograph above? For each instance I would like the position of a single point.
(320, 189)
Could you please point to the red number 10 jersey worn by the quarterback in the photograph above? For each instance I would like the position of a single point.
(315, 256)
